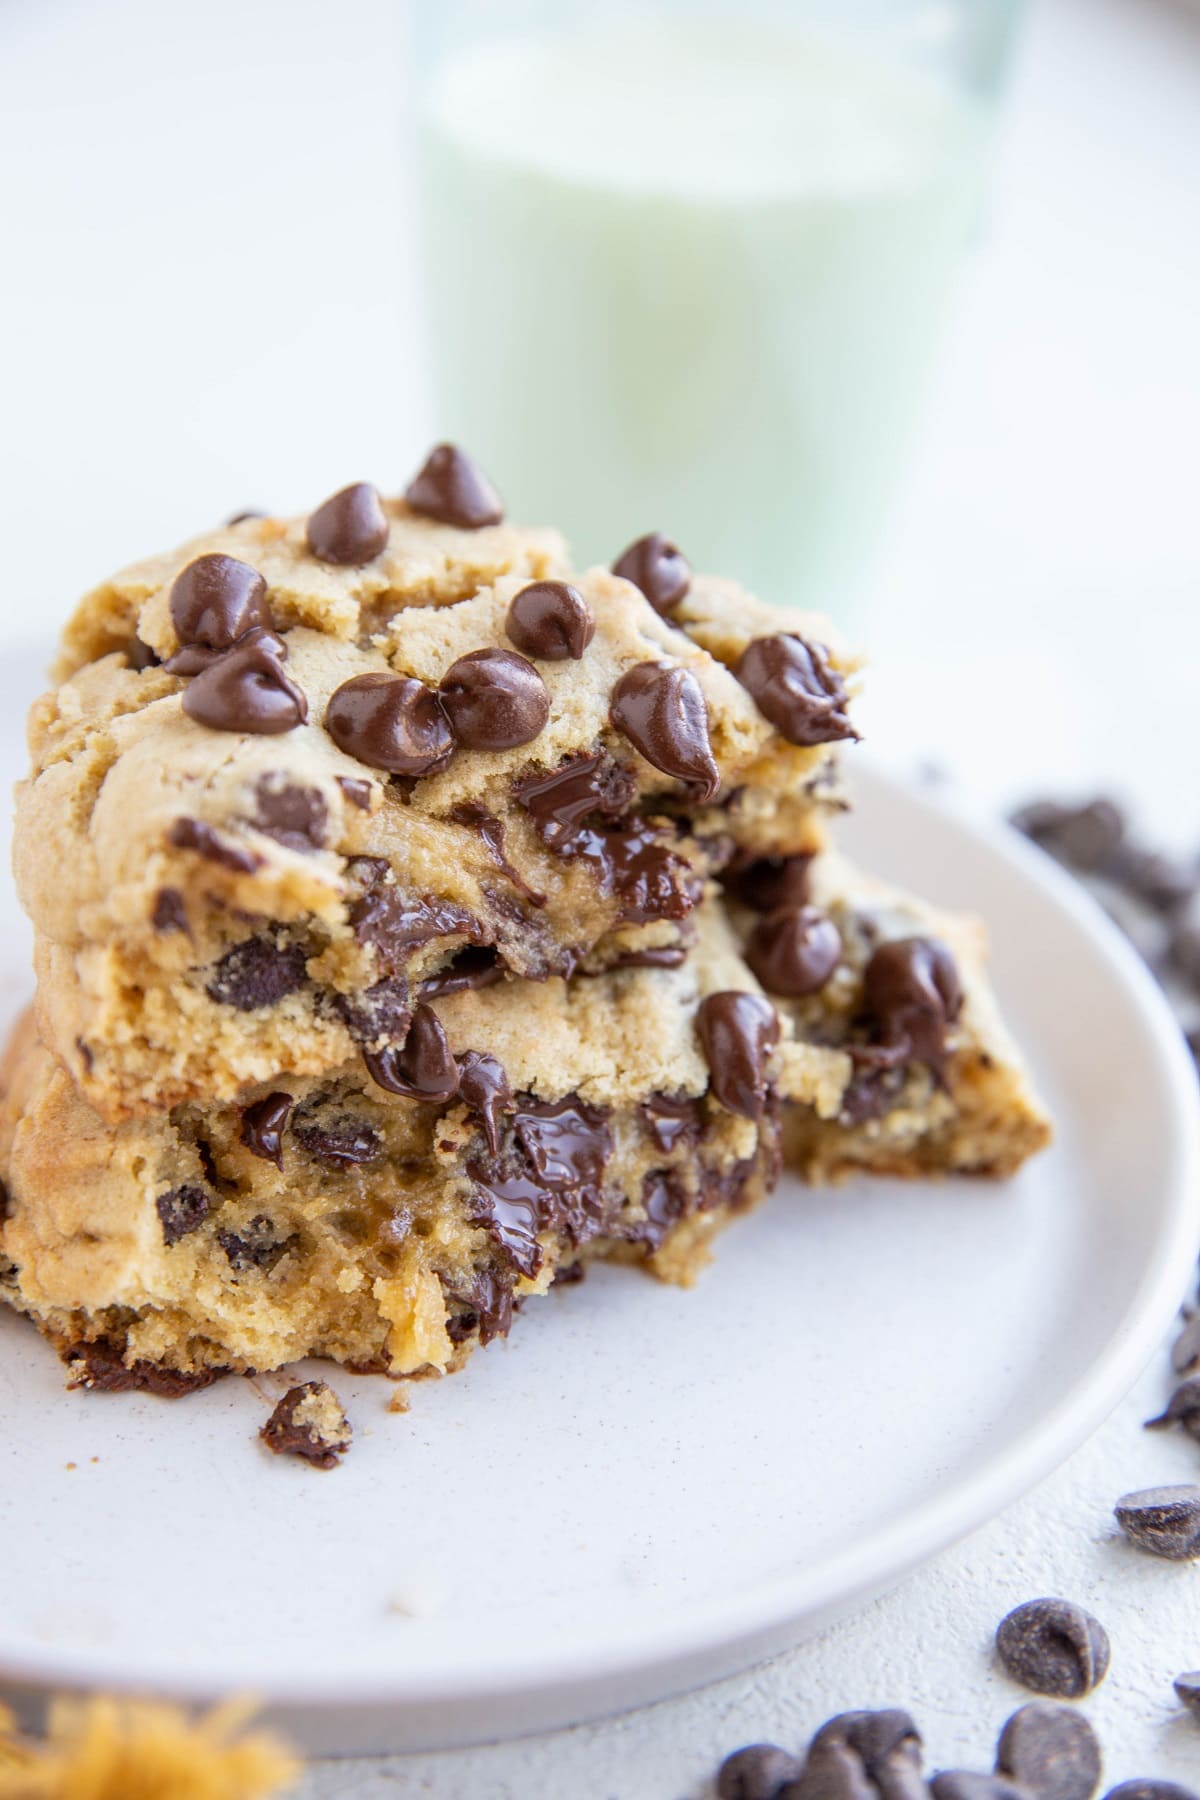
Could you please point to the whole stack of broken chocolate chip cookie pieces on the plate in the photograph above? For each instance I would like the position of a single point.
(418, 919)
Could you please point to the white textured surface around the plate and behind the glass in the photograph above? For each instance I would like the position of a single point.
(1039, 618)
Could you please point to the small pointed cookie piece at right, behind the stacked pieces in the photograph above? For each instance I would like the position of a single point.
(891, 998)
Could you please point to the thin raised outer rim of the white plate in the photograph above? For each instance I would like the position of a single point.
(778, 1610)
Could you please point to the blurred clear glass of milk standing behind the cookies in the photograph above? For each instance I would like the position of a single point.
(688, 264)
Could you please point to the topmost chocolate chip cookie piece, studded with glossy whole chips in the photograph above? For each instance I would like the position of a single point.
(305, 777)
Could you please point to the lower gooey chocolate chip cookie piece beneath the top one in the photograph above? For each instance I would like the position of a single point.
(627, 1117)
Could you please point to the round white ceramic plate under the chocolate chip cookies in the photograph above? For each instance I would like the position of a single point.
(645, 1489)
